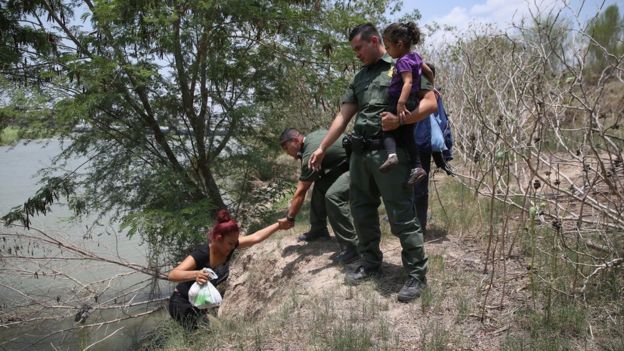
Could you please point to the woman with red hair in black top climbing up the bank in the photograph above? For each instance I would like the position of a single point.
(223, 239)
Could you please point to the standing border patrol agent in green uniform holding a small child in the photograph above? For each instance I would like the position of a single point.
(367, 99)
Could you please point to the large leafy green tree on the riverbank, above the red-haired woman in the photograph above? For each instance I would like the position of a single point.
(184, 97)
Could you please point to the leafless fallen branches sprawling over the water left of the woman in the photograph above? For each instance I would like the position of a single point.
(76, 295)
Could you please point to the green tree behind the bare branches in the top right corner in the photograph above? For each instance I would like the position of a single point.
(607, 39)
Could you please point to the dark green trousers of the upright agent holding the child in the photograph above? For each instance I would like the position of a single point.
(367, 185)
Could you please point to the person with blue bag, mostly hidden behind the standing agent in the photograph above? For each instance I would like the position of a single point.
(435, 141)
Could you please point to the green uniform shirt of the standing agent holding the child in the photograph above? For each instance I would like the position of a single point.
(369, 91)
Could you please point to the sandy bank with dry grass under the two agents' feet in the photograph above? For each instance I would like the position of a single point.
(285, 295)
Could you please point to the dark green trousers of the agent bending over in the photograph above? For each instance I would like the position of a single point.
(330, 201)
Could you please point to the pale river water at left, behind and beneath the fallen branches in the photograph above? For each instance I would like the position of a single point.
(53, 291)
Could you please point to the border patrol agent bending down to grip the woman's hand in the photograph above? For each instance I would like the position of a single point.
(330, 195)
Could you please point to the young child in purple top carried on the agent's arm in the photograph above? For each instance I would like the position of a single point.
(403, 93)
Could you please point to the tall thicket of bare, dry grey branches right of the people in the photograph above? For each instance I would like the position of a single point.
(540, 136)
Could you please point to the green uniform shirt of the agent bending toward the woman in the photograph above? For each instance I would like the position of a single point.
(334, 155)
